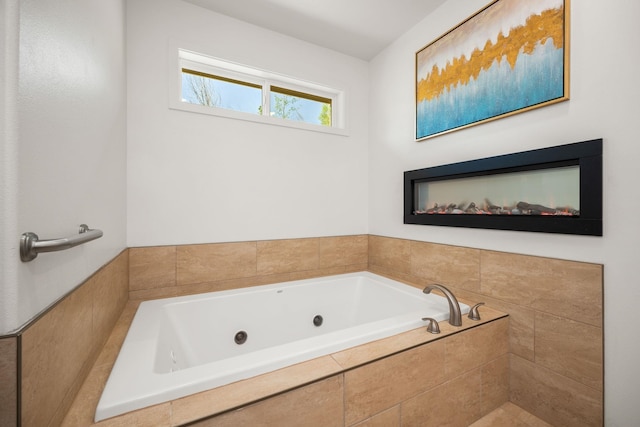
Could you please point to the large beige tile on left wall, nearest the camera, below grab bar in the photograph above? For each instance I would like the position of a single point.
(54, 351)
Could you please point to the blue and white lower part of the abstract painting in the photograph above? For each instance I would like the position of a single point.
(536, 78)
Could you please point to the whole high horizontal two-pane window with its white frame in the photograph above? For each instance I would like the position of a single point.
(212, 86)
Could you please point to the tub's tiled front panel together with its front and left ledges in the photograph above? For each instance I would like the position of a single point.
(406, 374)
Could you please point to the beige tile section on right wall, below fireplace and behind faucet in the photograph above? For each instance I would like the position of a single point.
(555, 313)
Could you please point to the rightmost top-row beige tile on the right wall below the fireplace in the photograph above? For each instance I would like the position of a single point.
(564, 288)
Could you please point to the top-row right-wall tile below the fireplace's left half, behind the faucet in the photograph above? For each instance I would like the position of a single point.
(447, 265)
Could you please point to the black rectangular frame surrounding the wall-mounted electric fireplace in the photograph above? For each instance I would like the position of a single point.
(587, 155)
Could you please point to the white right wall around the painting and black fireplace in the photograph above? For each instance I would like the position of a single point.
(604, 103)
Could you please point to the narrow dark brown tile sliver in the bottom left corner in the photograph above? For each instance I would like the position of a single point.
(8, 381)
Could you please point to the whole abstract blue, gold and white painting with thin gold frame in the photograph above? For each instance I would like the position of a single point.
(510, 57)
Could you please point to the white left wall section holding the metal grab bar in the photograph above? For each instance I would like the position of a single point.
(64, 150)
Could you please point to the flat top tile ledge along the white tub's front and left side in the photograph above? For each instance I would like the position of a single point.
(225, 398)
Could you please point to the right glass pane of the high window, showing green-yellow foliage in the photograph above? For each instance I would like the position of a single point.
(299, 106)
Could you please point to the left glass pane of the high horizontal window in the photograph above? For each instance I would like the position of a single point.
(214, 91)
